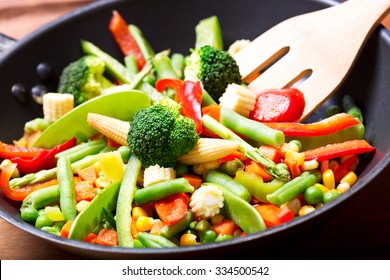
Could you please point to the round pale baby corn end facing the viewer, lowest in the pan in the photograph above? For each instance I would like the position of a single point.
(206, 201)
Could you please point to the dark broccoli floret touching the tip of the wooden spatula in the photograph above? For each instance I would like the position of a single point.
(215, 68)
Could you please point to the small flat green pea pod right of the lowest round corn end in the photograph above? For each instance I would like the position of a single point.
(240, 212)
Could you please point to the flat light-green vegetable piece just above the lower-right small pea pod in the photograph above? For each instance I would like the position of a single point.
(256, 186)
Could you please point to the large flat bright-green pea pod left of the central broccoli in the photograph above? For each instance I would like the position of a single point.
(120, 105)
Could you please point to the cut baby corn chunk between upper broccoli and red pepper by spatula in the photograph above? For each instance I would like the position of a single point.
(238, 99)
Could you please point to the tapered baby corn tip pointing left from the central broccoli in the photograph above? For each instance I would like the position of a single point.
(112, 128)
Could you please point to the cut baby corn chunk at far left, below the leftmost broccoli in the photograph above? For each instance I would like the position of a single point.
(55, 105)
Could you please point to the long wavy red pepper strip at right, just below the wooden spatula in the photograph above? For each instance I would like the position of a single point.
(329, 125)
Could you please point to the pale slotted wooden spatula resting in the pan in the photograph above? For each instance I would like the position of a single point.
(321, 45)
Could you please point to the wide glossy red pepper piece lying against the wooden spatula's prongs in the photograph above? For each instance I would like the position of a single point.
(278, 105)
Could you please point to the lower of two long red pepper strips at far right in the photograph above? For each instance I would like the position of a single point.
(352, 147)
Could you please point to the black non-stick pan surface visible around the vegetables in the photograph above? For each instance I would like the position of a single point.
(355, 226)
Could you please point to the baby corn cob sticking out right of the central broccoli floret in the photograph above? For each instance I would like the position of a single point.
(208, 149)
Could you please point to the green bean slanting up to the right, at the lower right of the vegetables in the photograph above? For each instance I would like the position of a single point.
(295, 187)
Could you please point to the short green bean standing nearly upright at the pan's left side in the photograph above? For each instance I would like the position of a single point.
(67, 193)
